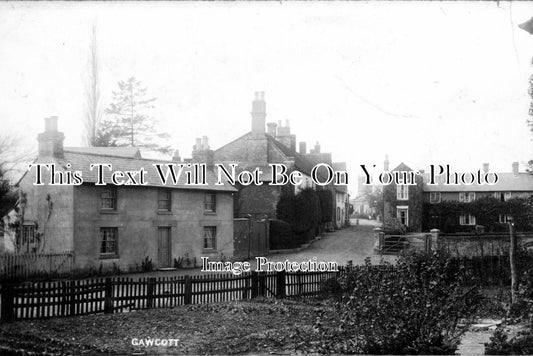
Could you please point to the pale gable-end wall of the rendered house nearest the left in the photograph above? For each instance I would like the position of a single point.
(50, 208)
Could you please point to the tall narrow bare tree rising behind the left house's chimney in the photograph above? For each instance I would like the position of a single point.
(93, 113)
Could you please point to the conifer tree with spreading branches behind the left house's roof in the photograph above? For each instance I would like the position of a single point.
(128, 122)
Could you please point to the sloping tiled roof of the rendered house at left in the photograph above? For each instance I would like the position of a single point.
(82, 161)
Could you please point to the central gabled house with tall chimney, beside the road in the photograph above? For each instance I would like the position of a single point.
(276, 144)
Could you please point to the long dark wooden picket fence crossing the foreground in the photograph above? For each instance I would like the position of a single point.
(111, 295)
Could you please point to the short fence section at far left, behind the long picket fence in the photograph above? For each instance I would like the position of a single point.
(26, 265)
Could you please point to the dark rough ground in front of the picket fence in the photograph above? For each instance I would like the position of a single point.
(238, 327)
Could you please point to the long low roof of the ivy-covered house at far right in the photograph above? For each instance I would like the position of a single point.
(507, 182)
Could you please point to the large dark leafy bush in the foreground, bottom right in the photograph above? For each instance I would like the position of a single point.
(411, 308)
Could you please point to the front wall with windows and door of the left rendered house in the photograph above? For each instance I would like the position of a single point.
(137, 219)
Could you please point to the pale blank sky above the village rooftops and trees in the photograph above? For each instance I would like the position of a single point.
(422, 82)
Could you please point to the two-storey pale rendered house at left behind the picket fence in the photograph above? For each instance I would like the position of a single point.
(112, 225)
